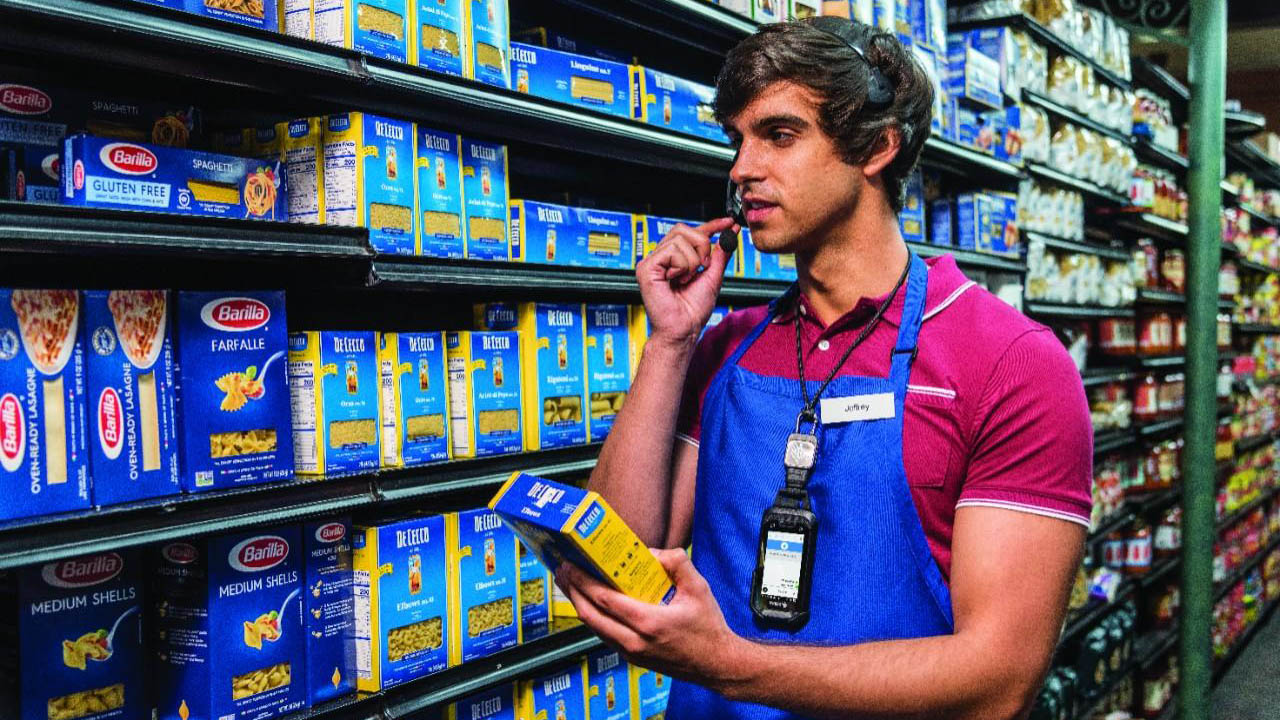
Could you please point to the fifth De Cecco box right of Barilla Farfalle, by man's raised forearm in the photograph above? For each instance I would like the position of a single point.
(609, 366)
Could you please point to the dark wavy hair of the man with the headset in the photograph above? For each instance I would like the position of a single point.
(801, 53)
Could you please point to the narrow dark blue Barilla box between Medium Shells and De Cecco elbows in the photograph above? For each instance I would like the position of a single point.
(330, 610)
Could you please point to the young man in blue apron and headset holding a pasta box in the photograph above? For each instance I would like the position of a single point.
(954, 450)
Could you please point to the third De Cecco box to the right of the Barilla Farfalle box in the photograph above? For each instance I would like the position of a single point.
(484, 394)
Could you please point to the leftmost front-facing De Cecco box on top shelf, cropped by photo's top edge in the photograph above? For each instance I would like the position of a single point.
(376, 28)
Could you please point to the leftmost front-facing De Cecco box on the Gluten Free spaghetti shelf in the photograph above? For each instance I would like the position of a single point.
(369, 179)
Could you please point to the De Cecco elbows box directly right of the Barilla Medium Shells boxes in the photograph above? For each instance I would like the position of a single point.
(401, 601)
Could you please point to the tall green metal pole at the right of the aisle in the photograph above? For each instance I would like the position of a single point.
(1208, 76)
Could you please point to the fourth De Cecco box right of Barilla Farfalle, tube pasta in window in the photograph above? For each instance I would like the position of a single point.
(554, 345)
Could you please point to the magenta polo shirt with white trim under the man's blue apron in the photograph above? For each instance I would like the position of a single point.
(996, 414)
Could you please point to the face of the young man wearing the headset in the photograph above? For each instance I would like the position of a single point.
(796, 186)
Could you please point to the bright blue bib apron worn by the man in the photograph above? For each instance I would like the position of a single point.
(875, 577)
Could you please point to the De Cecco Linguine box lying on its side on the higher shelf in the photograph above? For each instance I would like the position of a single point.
(574, 80)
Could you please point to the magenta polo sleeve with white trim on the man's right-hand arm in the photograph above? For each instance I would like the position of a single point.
(1032, 435)
